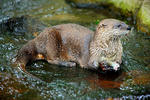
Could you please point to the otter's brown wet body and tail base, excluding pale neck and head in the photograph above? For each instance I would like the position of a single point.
(59, 46)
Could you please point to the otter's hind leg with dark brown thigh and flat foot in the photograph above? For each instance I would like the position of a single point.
(54, 48)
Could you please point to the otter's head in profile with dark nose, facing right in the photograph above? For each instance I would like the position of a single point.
(113, 28)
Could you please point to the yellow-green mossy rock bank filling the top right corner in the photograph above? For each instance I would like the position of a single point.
(138, 9)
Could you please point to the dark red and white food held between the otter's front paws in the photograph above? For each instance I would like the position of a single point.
(107, 67)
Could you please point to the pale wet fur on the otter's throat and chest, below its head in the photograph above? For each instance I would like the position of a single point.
(105, 46)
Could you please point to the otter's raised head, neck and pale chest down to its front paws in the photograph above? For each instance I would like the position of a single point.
(106, 44)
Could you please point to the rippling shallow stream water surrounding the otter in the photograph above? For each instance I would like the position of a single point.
(58, 82)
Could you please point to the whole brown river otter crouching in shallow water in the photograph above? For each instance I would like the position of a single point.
(68, 44)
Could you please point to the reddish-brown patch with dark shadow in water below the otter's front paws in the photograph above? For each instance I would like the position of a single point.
(107, 80)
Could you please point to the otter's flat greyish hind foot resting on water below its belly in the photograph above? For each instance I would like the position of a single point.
(62, 63)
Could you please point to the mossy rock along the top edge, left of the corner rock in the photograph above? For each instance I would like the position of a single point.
(125, 5)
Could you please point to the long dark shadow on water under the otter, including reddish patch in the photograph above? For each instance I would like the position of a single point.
(47, 72)
